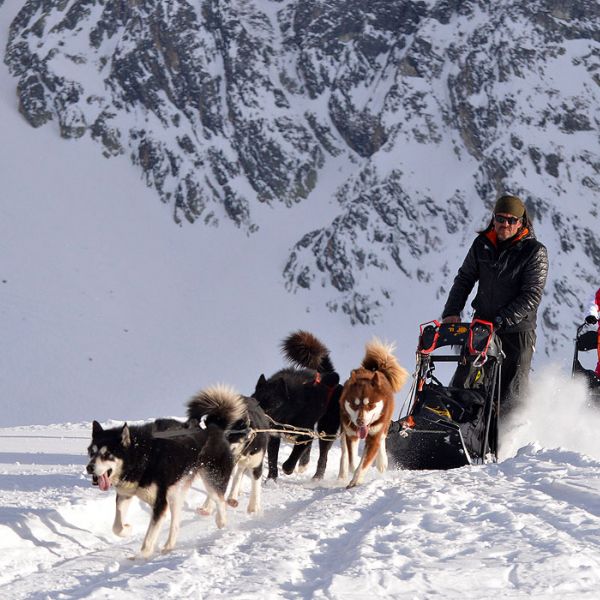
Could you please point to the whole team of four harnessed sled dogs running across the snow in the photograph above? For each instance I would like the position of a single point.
(227, 435)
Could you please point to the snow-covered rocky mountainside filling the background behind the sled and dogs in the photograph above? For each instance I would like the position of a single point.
(321, 164)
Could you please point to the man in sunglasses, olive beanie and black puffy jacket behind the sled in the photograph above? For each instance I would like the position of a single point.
(511, 267)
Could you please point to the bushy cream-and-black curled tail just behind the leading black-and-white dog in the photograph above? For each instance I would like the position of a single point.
(220, 403)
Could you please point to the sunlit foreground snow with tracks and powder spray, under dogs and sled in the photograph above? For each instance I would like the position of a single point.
(525, 527)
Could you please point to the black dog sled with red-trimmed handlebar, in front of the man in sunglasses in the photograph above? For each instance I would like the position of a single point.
(450, 426)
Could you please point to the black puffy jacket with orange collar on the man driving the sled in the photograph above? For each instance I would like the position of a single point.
(511, 278)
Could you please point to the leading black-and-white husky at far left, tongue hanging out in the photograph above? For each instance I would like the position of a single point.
(157, 462)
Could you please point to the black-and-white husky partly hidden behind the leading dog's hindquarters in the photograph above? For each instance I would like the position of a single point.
(247, 444)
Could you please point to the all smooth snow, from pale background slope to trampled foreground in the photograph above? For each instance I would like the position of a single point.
(110, 311)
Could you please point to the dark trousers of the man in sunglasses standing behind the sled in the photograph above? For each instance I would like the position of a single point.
(518, 348)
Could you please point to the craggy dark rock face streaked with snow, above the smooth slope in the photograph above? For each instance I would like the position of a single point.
(429, 108)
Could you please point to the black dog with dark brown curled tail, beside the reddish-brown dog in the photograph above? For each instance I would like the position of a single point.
(302, 397)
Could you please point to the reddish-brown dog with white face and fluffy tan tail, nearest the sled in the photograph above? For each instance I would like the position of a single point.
(366, 409)
